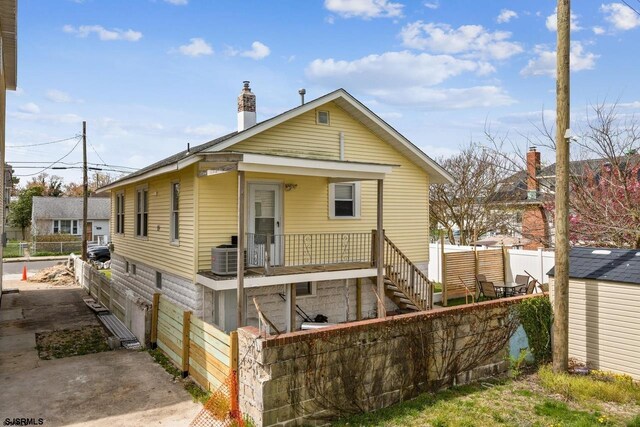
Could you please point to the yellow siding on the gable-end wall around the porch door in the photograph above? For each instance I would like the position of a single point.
(306, 208)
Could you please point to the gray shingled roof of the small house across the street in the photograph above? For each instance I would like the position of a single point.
(70, 208)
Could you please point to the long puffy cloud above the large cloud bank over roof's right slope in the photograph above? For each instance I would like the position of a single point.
(473, 40)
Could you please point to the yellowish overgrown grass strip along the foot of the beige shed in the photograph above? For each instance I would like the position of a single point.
(599, 386)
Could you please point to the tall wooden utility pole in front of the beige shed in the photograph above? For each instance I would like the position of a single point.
(561, 280)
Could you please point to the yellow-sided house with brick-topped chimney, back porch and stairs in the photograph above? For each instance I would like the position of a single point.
(319, 212)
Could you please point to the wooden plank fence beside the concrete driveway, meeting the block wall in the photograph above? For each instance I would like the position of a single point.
(199, 349)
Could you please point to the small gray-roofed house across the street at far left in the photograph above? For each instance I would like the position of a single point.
(63, 215)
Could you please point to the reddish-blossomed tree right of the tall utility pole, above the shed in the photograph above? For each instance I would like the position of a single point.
(605, 190)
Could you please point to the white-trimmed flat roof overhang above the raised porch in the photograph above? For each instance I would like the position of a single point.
(336, 170)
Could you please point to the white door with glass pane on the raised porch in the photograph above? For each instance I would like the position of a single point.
(265, 237)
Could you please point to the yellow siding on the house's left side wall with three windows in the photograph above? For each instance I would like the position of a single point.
(157, 250)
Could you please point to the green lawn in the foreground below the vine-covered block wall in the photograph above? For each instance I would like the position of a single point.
(507, 402)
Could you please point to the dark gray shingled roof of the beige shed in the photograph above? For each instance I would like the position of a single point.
(618, 265)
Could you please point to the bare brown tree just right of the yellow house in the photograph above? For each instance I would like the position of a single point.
(468, 205)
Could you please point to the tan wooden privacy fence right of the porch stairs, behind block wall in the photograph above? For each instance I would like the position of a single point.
(459, 267)
